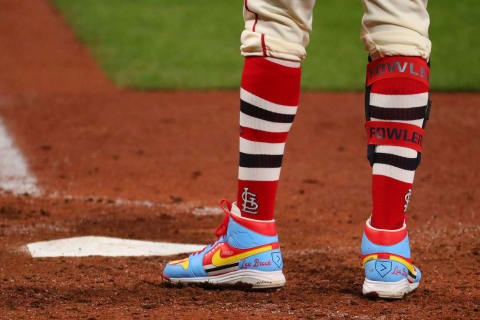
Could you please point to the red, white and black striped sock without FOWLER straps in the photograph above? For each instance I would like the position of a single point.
(269, 97)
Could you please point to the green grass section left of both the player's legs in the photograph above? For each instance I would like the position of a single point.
(152, 44)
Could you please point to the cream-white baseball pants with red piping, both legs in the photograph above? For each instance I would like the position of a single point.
(281, 28)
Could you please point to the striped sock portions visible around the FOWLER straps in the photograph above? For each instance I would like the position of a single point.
(402, 100)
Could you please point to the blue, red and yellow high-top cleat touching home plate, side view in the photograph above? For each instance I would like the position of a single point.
(246, 254)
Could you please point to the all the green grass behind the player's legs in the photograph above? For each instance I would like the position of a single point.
(187, 44)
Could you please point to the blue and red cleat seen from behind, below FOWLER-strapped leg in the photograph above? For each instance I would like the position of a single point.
(389, 272)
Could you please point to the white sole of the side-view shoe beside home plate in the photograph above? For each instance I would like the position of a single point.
(253, 279)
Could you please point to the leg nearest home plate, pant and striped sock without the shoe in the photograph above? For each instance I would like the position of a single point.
(273, 43)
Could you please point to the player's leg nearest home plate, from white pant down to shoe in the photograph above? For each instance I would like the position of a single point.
(247, 251)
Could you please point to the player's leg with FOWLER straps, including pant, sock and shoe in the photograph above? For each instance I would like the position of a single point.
(397, 106)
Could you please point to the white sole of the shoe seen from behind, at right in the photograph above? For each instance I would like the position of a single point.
(388, 290)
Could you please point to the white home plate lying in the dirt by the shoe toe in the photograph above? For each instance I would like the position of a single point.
(106, 246)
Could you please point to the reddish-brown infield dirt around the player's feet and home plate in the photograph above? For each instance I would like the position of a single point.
(95, 150)
